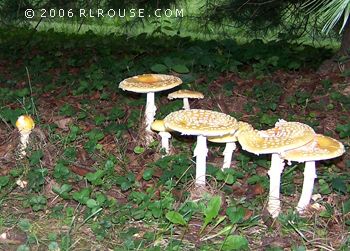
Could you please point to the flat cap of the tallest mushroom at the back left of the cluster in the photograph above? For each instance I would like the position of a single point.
(149, 83)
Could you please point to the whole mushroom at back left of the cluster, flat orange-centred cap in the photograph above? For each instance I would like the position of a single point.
(149, 83)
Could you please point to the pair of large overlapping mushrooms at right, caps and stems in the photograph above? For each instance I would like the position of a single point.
(292, 141)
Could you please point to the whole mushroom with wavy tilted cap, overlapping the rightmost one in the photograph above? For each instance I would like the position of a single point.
(284, 136)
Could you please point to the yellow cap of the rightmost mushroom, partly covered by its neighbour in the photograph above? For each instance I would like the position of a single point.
(321, 148)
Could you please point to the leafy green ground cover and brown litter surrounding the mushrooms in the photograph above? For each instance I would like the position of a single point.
(89, 182)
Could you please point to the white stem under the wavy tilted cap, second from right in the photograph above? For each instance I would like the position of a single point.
(274, 204)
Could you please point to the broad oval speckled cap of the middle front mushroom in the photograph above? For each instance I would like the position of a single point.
(201, 122)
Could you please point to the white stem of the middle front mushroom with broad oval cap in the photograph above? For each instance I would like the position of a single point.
(200, 152)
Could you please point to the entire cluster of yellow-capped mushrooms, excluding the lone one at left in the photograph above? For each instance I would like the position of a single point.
(286, 141)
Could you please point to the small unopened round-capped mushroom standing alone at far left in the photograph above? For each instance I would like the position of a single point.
(25, 125)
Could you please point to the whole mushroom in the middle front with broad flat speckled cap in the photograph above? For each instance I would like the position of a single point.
(201, 123)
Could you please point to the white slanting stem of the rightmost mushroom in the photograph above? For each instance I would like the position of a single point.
(308, 185)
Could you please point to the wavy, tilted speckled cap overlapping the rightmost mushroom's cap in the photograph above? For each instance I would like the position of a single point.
(284, 136)
